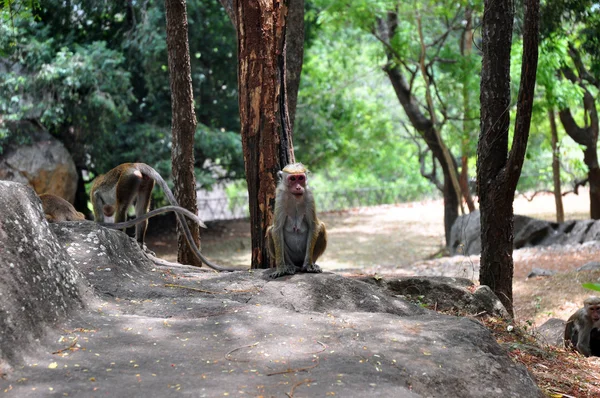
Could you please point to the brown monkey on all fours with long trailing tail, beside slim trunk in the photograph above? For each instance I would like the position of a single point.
(129, 183)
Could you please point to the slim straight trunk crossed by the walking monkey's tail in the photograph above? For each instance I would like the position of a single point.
(183, 122)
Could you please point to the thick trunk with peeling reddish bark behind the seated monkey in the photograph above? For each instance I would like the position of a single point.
(265, 122)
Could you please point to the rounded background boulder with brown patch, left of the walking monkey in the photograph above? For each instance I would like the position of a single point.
(45, 164)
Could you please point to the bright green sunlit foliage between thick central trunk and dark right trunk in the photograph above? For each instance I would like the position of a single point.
(356, 123)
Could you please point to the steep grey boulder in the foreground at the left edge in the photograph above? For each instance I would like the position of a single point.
(38, 284)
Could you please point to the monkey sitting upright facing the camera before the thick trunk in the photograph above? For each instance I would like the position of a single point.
(297, 238)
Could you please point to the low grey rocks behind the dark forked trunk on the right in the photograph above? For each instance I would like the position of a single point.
(465, 236)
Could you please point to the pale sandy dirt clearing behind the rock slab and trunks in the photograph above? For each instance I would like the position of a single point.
(398, 239)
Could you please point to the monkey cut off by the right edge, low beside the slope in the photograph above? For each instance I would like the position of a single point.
(579, 326)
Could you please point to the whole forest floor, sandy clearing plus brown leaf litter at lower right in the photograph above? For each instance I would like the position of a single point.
(407, 239)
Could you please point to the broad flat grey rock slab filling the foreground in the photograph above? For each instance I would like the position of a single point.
(166, 331)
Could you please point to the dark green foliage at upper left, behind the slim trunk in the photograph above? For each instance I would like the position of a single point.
(95, 74)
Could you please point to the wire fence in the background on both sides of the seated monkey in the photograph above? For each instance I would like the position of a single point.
(235, 208)
